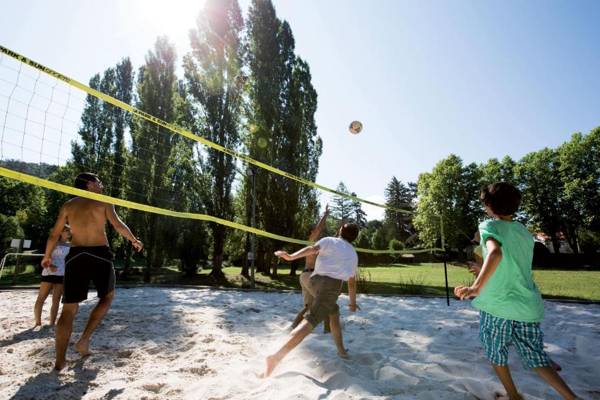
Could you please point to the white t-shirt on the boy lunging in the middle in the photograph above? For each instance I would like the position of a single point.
(336, 259)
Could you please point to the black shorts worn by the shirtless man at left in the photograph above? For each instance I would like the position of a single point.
(85, 264)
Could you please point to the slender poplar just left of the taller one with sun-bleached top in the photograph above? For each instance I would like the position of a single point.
(151, 149)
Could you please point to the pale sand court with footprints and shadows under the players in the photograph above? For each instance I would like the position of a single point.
(159, 343)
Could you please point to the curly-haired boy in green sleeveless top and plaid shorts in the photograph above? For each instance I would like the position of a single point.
(508, 300)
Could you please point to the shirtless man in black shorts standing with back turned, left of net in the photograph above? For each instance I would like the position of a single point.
(90, 258)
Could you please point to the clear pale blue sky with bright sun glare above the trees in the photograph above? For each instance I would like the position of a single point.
(479, 79)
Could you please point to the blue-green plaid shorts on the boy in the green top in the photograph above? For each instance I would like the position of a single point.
(497, 334)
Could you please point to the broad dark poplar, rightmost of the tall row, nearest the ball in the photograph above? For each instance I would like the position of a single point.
(281, 129)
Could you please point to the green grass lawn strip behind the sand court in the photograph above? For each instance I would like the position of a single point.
(396, 279)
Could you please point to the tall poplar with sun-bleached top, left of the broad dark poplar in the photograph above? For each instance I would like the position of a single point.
(212, 73)
